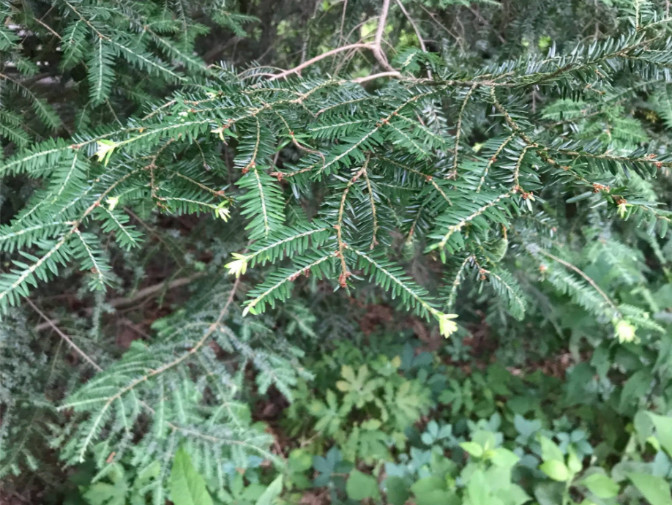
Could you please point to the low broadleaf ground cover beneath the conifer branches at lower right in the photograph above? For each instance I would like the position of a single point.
(511, 450)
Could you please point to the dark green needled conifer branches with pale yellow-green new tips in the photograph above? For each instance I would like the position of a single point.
(503, 168)
